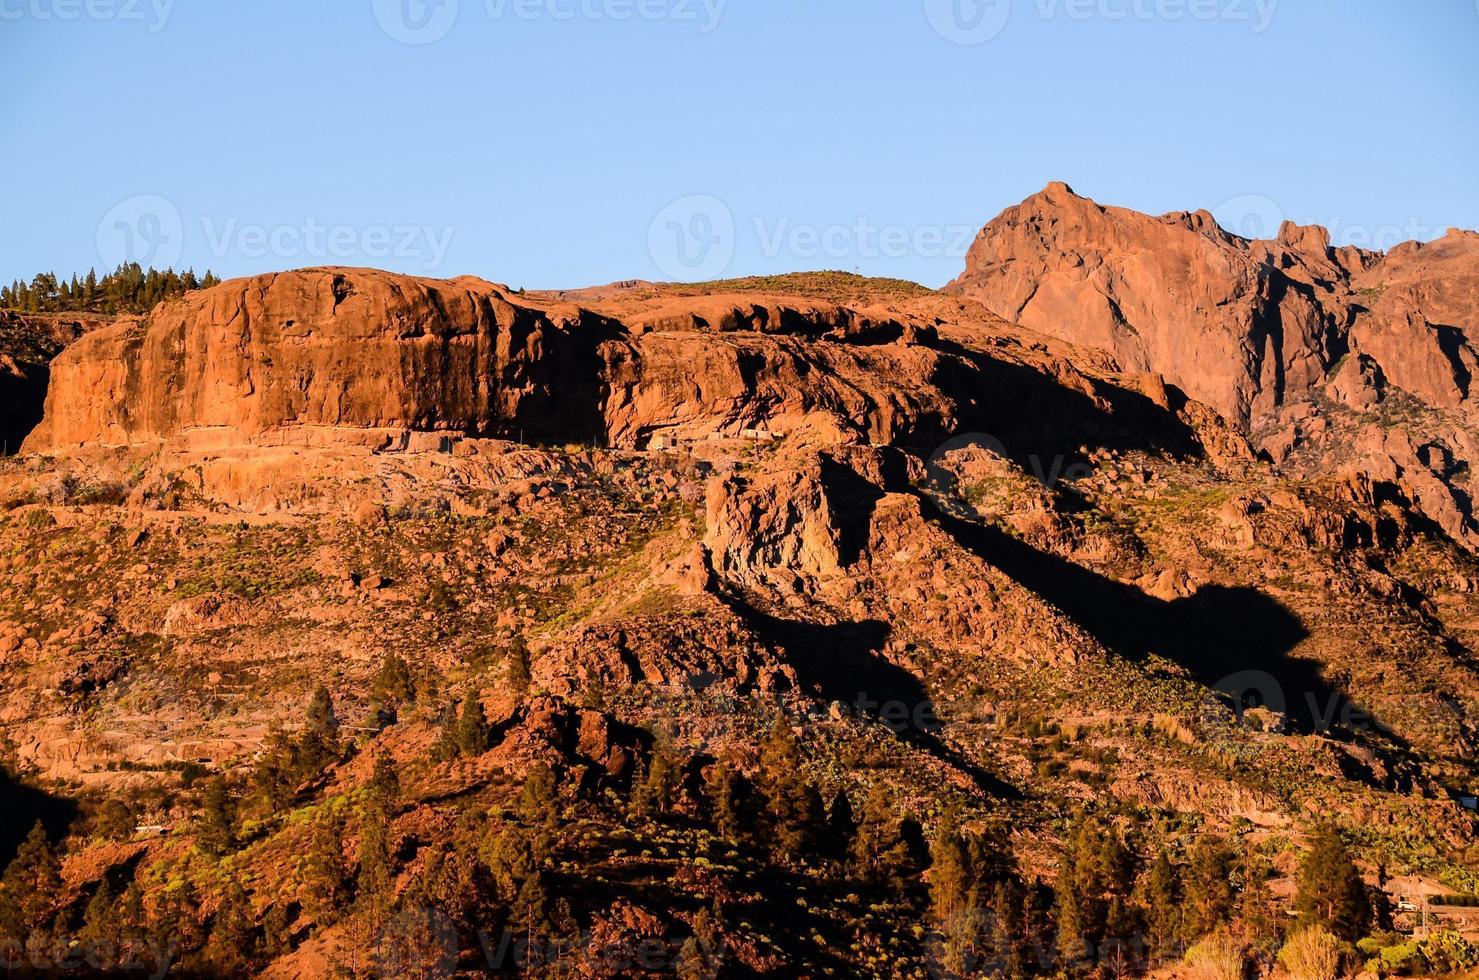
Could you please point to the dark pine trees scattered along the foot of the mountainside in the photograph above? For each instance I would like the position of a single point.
(1109, 911)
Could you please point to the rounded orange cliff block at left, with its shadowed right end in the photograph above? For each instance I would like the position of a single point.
(328, 348)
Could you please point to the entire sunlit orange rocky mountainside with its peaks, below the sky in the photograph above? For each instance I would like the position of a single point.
(365, 623)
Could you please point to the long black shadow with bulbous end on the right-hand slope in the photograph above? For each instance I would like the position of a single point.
(1234, 641)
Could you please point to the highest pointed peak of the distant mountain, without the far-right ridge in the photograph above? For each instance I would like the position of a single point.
(1233, 323)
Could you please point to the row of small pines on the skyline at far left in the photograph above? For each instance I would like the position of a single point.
(129, 289)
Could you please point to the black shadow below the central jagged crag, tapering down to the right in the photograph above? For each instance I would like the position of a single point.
(842, 663)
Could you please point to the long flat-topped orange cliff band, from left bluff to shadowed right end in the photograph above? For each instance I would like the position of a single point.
(351, 355)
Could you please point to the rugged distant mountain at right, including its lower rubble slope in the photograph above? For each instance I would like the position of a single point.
(1279, 336)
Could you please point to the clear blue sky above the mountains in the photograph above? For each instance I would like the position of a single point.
(544, 150)
